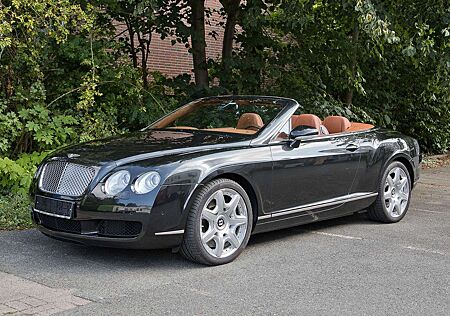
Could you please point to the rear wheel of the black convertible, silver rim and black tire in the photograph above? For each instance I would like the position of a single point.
(394, 195)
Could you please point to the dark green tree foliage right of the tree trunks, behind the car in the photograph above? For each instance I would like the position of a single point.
(383, 61)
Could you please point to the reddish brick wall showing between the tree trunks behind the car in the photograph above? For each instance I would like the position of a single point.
(172, 60)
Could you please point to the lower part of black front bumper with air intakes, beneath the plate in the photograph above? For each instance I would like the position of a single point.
(106, 229)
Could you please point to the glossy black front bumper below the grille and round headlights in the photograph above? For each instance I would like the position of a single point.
(152, 221)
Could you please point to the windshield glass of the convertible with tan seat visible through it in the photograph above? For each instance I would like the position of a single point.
(240, 116)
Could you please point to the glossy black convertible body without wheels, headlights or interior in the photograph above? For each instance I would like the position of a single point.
(321, 177)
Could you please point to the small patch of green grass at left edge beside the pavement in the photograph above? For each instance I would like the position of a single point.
(15, 212)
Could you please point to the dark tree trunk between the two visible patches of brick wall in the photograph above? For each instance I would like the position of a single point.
(199, 43)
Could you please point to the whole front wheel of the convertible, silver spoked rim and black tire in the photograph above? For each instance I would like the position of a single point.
(219, 223)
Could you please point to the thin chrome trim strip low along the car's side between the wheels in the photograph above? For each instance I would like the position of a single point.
(316, 205)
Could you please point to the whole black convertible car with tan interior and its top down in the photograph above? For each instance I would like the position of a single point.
(205, 177)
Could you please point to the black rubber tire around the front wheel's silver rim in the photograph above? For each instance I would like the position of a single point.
(203, 197)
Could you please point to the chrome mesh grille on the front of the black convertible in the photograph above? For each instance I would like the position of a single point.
(65, 178)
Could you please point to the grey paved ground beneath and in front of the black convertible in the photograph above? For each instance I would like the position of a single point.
(346, 266)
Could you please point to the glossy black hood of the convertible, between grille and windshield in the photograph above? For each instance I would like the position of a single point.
(148, 144)
